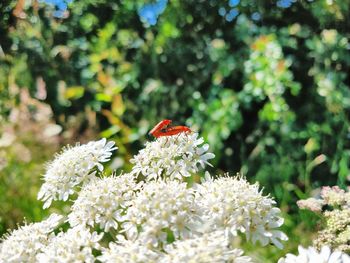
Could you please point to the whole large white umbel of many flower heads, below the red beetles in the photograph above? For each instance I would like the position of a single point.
(150, 214)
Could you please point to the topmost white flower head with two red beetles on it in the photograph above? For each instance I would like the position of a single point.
(172, 157)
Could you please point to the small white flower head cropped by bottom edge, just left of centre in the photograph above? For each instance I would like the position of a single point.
(129, 251)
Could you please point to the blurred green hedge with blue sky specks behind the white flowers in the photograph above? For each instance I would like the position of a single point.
(266, 83)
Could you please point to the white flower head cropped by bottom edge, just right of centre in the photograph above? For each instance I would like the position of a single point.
(211, 247)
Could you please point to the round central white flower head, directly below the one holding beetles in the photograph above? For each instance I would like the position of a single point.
(159, 208)
